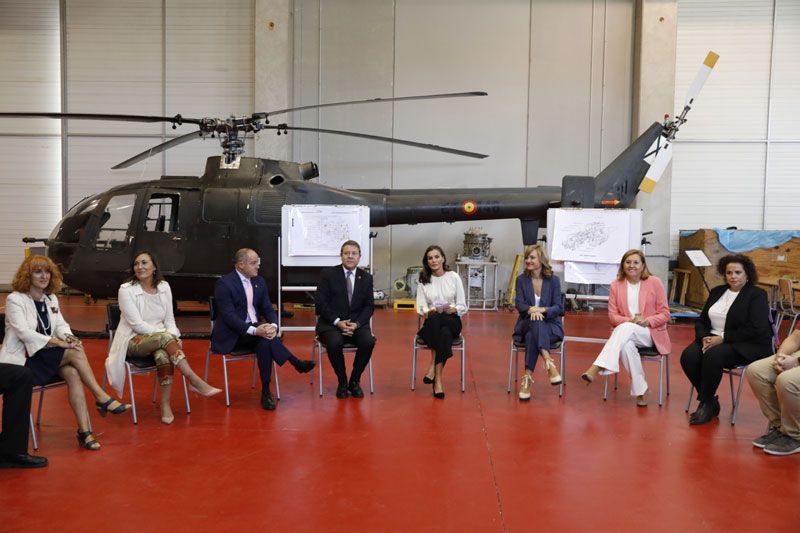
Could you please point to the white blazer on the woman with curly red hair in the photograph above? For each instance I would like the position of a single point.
(22, 340)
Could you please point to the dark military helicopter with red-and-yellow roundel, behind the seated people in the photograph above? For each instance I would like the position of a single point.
(195, 224)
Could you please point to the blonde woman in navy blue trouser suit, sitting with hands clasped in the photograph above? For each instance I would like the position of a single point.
(538, 300)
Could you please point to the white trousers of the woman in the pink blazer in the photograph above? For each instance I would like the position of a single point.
(623, 344)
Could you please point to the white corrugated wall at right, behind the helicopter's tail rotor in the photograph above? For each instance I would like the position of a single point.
(737, 160)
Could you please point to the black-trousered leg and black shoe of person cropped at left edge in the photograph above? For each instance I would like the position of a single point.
(16, 382)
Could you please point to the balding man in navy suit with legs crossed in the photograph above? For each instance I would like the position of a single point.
(241, 298)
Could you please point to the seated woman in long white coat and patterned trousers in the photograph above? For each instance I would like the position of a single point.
(147, 328)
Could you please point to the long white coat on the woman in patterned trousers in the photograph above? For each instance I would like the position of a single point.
(131, 304)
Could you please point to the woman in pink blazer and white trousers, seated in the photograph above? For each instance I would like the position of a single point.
(638, 311)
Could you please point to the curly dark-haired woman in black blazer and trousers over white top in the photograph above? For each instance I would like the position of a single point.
(732, 330)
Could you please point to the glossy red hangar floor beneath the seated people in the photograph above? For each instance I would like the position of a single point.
(403, 461)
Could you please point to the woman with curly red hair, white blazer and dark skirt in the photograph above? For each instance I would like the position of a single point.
(38, 337)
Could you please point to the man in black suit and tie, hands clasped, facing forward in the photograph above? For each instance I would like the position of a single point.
(344, 303)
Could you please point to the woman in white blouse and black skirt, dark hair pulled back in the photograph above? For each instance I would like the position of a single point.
(441, 300)
